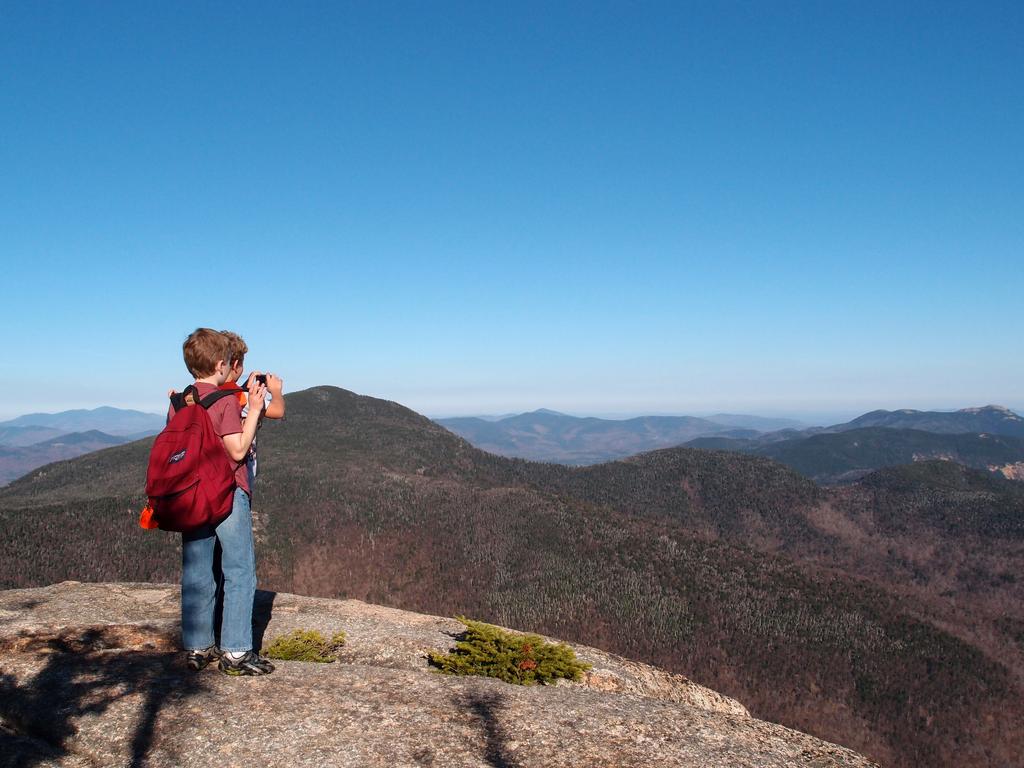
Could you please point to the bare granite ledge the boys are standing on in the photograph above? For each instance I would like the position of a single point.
(91, 675)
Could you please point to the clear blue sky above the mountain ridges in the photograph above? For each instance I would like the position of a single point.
(783, 208)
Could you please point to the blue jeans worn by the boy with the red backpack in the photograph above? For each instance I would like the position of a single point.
(199, 584)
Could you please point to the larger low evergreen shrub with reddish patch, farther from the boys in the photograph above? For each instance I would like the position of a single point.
(524, 660)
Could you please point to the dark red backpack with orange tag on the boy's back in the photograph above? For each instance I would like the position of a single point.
(191, 480)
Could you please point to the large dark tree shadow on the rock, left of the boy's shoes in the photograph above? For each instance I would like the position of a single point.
(87, 672)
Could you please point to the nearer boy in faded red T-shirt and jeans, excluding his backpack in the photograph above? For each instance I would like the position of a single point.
(207, 356)
